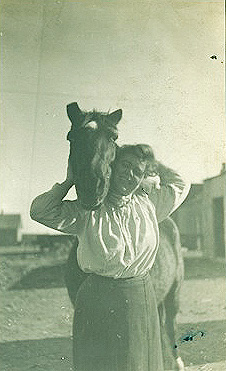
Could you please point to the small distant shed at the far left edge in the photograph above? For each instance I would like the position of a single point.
(10, 229)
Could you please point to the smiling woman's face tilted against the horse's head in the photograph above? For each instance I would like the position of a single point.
(127, 174)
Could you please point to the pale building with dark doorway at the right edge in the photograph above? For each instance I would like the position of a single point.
(201, 218)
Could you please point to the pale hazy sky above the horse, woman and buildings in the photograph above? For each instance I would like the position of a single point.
(150, 58)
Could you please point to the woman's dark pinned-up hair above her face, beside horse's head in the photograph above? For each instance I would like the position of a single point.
(143, 152)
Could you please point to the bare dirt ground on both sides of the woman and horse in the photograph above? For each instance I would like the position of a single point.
(36, 316)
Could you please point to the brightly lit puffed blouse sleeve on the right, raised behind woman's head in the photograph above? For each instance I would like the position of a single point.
(168, 195)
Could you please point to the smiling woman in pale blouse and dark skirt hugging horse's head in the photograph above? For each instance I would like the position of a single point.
(116, 325)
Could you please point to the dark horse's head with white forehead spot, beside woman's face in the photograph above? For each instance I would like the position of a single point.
(92, 149)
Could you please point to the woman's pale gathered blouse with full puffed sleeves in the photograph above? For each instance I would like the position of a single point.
(118, 242)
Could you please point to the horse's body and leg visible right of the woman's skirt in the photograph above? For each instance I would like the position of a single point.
(167, 277)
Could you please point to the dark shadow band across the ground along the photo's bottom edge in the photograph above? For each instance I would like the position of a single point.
(55, 354)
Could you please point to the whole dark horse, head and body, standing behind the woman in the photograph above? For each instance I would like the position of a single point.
(92, 149)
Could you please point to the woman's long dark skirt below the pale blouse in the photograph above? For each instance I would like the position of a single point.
(116, 326)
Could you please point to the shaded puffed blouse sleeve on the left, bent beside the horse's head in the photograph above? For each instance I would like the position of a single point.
(50, 210)
